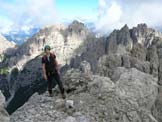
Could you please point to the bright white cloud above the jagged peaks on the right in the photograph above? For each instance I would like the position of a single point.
(113, 14)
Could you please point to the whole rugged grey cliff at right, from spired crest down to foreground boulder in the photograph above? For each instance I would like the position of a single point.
(139, 47)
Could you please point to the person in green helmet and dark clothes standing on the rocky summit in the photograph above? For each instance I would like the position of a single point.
(51, 71)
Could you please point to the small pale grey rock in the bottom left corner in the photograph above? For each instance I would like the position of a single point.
(4, 117)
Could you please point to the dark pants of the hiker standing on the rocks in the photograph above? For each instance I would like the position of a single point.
(54, 76)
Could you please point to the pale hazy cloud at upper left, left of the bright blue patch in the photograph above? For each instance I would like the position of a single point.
(29, 12)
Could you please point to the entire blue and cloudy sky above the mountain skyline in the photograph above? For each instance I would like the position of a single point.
(106, 15)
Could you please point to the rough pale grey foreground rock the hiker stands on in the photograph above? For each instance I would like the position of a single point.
(95, 98)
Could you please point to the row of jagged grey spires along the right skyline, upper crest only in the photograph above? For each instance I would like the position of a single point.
(128, 37)
